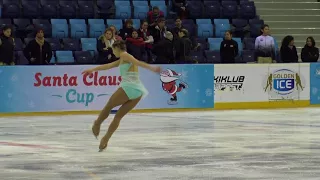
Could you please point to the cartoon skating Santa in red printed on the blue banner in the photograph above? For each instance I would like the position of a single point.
(172, 84)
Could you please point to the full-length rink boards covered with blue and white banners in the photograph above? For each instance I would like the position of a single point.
(64, 90)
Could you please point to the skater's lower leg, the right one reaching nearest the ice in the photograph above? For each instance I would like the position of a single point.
(123, 110)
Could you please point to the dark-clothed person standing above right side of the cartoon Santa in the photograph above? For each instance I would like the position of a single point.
(183, 47)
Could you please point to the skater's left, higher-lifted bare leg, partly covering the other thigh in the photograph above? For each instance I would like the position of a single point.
(119, 97)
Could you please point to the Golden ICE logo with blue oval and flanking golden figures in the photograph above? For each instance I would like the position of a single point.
(284, 84)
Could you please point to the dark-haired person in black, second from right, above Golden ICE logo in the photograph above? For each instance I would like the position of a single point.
(288, 51)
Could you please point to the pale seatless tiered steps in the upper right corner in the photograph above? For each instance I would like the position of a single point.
(291, 17)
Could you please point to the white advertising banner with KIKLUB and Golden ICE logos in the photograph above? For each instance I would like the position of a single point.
(261, 82)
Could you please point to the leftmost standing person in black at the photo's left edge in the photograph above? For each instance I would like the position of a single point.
(6, 47)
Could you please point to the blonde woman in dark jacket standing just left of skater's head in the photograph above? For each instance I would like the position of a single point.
(104, 47)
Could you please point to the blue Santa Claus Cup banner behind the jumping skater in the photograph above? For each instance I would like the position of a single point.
(64, 88)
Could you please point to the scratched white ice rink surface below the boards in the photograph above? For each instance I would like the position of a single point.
(217, 145)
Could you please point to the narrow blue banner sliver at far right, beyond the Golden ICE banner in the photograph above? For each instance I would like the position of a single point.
(315, 83)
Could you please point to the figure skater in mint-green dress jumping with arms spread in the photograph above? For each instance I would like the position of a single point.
(128, 95)
